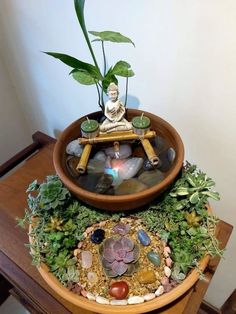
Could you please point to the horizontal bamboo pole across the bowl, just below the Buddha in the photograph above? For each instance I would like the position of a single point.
(116, 136)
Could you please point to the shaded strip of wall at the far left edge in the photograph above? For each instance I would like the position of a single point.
(14, 134)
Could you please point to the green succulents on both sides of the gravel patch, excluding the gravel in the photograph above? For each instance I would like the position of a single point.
(59, 222)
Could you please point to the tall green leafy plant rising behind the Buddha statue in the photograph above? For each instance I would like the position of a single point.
(91, 74)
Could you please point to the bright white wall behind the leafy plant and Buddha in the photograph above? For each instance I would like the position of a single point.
(185, 65)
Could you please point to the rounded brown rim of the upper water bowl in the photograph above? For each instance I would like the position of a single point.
(122, 198)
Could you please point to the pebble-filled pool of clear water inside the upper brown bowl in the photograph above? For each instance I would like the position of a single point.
(120, 171)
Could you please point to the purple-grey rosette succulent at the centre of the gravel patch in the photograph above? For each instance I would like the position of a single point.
(119, 256)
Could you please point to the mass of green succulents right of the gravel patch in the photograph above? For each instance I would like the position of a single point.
(182, 219)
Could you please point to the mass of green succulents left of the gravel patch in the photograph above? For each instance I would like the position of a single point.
(59, 222)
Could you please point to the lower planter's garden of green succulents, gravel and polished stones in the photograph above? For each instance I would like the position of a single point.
(122, 258)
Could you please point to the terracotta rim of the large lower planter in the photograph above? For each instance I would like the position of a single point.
(147, 306)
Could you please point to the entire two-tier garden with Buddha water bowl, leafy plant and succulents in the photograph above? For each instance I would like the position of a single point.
(128, 256)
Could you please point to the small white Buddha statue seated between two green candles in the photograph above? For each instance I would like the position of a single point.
(114, 112)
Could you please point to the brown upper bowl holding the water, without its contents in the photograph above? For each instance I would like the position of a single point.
(114, 202)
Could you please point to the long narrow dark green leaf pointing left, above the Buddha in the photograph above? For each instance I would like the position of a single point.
(77, 64)
